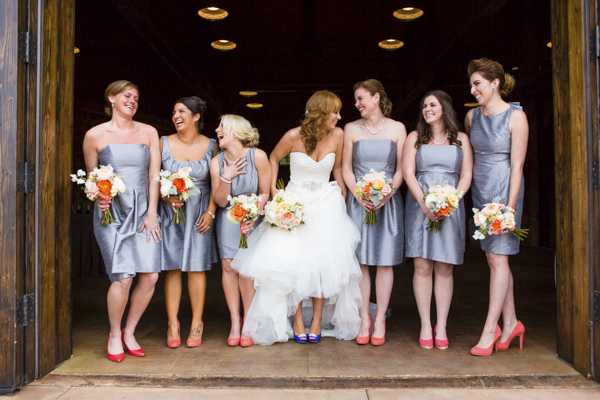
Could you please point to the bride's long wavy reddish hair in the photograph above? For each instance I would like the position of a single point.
(318, 108)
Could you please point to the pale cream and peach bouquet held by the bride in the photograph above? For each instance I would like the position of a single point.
(284, 211)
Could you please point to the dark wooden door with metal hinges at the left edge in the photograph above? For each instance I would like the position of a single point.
(36, 115)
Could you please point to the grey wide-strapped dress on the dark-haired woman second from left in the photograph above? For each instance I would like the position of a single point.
(183, 247)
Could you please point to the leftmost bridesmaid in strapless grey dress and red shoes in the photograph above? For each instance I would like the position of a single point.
(132, 148)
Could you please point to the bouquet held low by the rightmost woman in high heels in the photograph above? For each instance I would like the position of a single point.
(496, 219)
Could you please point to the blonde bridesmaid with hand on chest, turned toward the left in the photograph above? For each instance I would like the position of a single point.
(240, 169)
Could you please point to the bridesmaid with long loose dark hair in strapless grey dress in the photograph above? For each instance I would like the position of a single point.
(433, 154)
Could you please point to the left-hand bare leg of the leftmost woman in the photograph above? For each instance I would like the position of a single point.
(116, 301)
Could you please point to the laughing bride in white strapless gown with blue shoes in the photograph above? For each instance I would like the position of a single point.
(317, 260)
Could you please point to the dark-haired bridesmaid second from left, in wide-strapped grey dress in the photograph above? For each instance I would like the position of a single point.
(189, 246)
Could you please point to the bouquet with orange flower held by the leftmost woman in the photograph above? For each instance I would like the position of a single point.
(101, 183)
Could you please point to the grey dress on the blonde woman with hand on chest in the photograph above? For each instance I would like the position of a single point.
(228, 234)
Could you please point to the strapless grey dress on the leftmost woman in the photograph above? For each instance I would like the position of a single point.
(124, 249)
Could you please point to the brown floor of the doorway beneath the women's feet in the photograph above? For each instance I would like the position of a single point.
(332, 363)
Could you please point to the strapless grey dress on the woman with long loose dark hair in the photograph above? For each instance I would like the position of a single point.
(434, 166)
